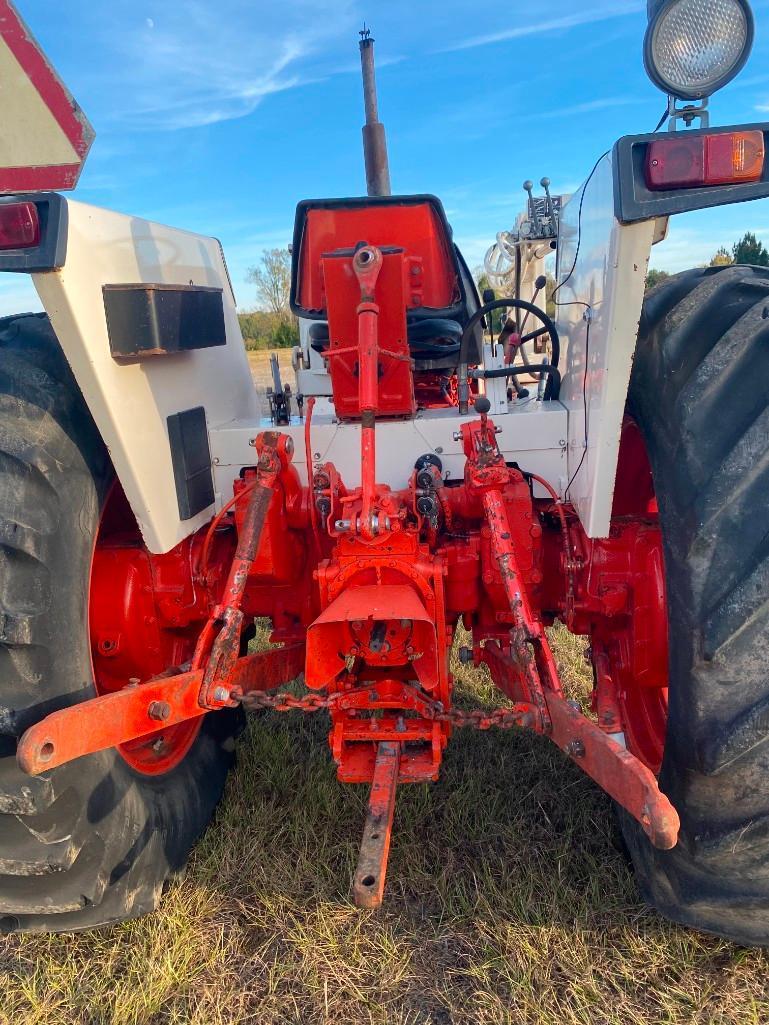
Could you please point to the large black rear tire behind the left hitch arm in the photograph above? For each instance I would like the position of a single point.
(94, 842)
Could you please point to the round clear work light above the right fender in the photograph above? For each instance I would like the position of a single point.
(695, 48)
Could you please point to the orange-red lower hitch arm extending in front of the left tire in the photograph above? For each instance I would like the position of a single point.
(145, 710)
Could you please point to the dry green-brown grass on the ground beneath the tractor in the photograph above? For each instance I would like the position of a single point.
(508, 901)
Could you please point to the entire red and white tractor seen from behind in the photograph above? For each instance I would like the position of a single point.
(422, 481)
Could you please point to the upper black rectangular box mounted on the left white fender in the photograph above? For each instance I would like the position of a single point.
(153, 321)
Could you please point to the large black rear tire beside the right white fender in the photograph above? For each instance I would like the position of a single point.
(700, 393)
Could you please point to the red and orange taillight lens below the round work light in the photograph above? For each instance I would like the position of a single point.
(686, 161)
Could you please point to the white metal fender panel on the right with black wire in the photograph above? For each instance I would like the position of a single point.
(597, 318)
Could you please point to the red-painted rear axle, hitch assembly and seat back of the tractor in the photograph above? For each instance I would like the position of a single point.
(371, 583)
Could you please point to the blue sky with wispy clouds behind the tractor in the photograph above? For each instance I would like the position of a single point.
(219, 115)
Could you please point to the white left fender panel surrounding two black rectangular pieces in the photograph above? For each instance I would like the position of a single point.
(131, 402)
